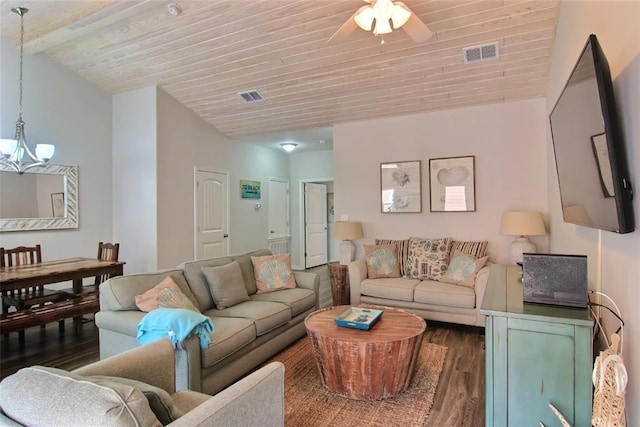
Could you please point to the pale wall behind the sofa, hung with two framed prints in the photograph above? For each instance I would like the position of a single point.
(507, 141)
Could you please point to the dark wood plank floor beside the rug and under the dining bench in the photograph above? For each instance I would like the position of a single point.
(459, 399)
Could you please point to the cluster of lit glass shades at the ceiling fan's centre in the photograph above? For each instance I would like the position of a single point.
(384, 13)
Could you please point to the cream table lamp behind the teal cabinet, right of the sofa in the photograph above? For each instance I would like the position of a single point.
(522, 224)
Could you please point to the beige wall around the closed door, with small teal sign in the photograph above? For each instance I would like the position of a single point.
(186, 141)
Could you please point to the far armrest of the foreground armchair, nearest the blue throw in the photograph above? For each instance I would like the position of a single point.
(153, 364)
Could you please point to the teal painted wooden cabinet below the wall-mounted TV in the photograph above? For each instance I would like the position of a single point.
(536, 355)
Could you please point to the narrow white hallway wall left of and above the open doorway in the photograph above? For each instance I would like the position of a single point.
(305, 167)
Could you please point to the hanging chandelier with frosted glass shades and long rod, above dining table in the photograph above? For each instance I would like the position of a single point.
(15, 153)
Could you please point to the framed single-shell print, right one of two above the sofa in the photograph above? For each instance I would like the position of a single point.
(452, 184)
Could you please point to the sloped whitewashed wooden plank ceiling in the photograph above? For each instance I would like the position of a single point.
(216, 49)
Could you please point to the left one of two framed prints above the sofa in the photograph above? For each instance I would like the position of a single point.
(401, 187)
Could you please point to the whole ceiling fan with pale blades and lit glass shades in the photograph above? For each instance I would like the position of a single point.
(382, 17)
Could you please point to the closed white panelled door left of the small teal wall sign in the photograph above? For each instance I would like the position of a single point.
(211, 214)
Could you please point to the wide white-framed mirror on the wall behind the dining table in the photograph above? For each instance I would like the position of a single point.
(44, 198)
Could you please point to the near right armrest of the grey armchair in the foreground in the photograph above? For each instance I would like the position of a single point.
(258, 396)
